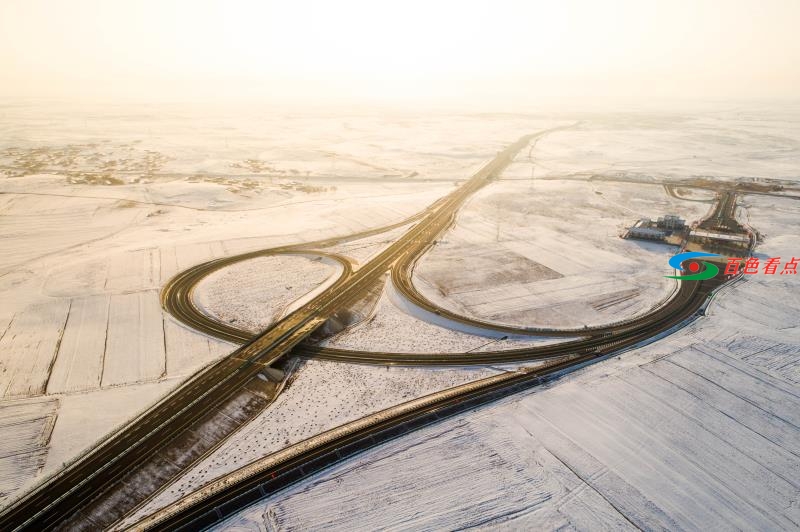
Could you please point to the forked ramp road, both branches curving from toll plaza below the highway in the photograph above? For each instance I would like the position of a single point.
(229, 494)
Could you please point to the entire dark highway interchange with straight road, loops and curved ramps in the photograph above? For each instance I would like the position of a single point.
(59, 500)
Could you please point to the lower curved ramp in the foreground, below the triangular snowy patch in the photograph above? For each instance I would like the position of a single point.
(227, 495)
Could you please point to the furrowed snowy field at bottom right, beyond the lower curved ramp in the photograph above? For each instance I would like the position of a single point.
(696, 431)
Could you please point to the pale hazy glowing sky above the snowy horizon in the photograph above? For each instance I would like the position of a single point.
(484, 53)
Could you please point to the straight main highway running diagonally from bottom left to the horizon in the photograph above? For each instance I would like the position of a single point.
(60, 498)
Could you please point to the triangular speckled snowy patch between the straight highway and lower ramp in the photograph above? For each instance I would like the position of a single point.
(323, 395)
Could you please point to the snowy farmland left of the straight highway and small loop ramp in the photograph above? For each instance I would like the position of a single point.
(84, 254)
